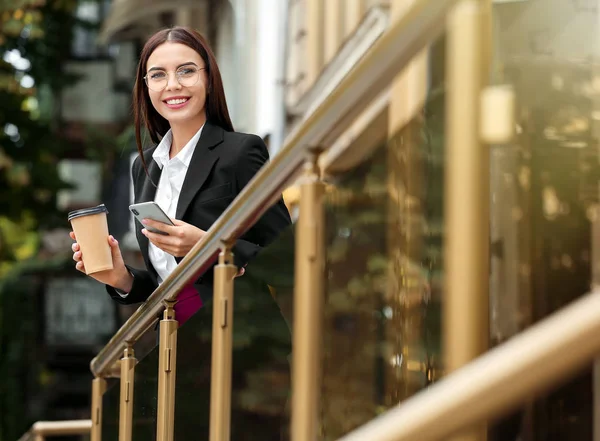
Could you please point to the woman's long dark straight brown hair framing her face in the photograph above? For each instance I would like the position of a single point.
(143, 110)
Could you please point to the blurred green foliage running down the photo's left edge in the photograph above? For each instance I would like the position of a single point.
(34, 40)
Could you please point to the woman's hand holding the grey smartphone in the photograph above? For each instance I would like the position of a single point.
(180, 237)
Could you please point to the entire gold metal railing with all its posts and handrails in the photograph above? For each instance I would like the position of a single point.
(474, 392)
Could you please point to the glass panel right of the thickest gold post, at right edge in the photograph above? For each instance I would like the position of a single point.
(544, 192)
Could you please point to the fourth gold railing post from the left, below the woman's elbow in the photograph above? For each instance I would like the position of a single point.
(222, 341)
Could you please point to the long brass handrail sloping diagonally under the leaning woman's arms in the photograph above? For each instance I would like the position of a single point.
(421, 25)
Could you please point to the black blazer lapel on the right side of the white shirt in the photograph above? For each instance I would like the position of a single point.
(204, 158)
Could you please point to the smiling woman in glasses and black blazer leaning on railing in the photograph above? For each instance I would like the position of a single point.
(197, 168)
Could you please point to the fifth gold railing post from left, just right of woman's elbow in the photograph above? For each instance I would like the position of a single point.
(308, 305)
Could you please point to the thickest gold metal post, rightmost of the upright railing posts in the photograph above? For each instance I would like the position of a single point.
(466, 329)
